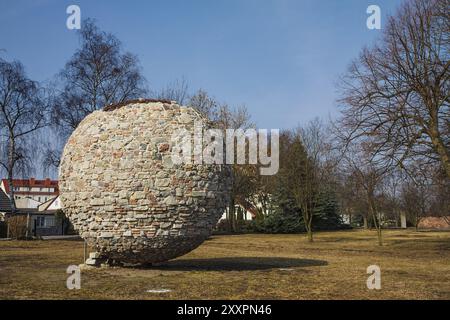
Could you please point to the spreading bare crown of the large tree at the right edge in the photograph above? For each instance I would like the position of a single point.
(396, 94)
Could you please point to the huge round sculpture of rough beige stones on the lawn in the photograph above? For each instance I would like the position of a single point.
(123, 193)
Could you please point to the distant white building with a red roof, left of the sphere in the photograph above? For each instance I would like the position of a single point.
(37, 190)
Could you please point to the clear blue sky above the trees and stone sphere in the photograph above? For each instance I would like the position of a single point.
(281, 58)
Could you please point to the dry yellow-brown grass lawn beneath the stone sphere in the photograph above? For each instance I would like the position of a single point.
(414, 265)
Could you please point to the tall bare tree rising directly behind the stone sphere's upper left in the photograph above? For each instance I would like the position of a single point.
(98, 74)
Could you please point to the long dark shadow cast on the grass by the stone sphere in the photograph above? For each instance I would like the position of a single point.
(237, 264)
